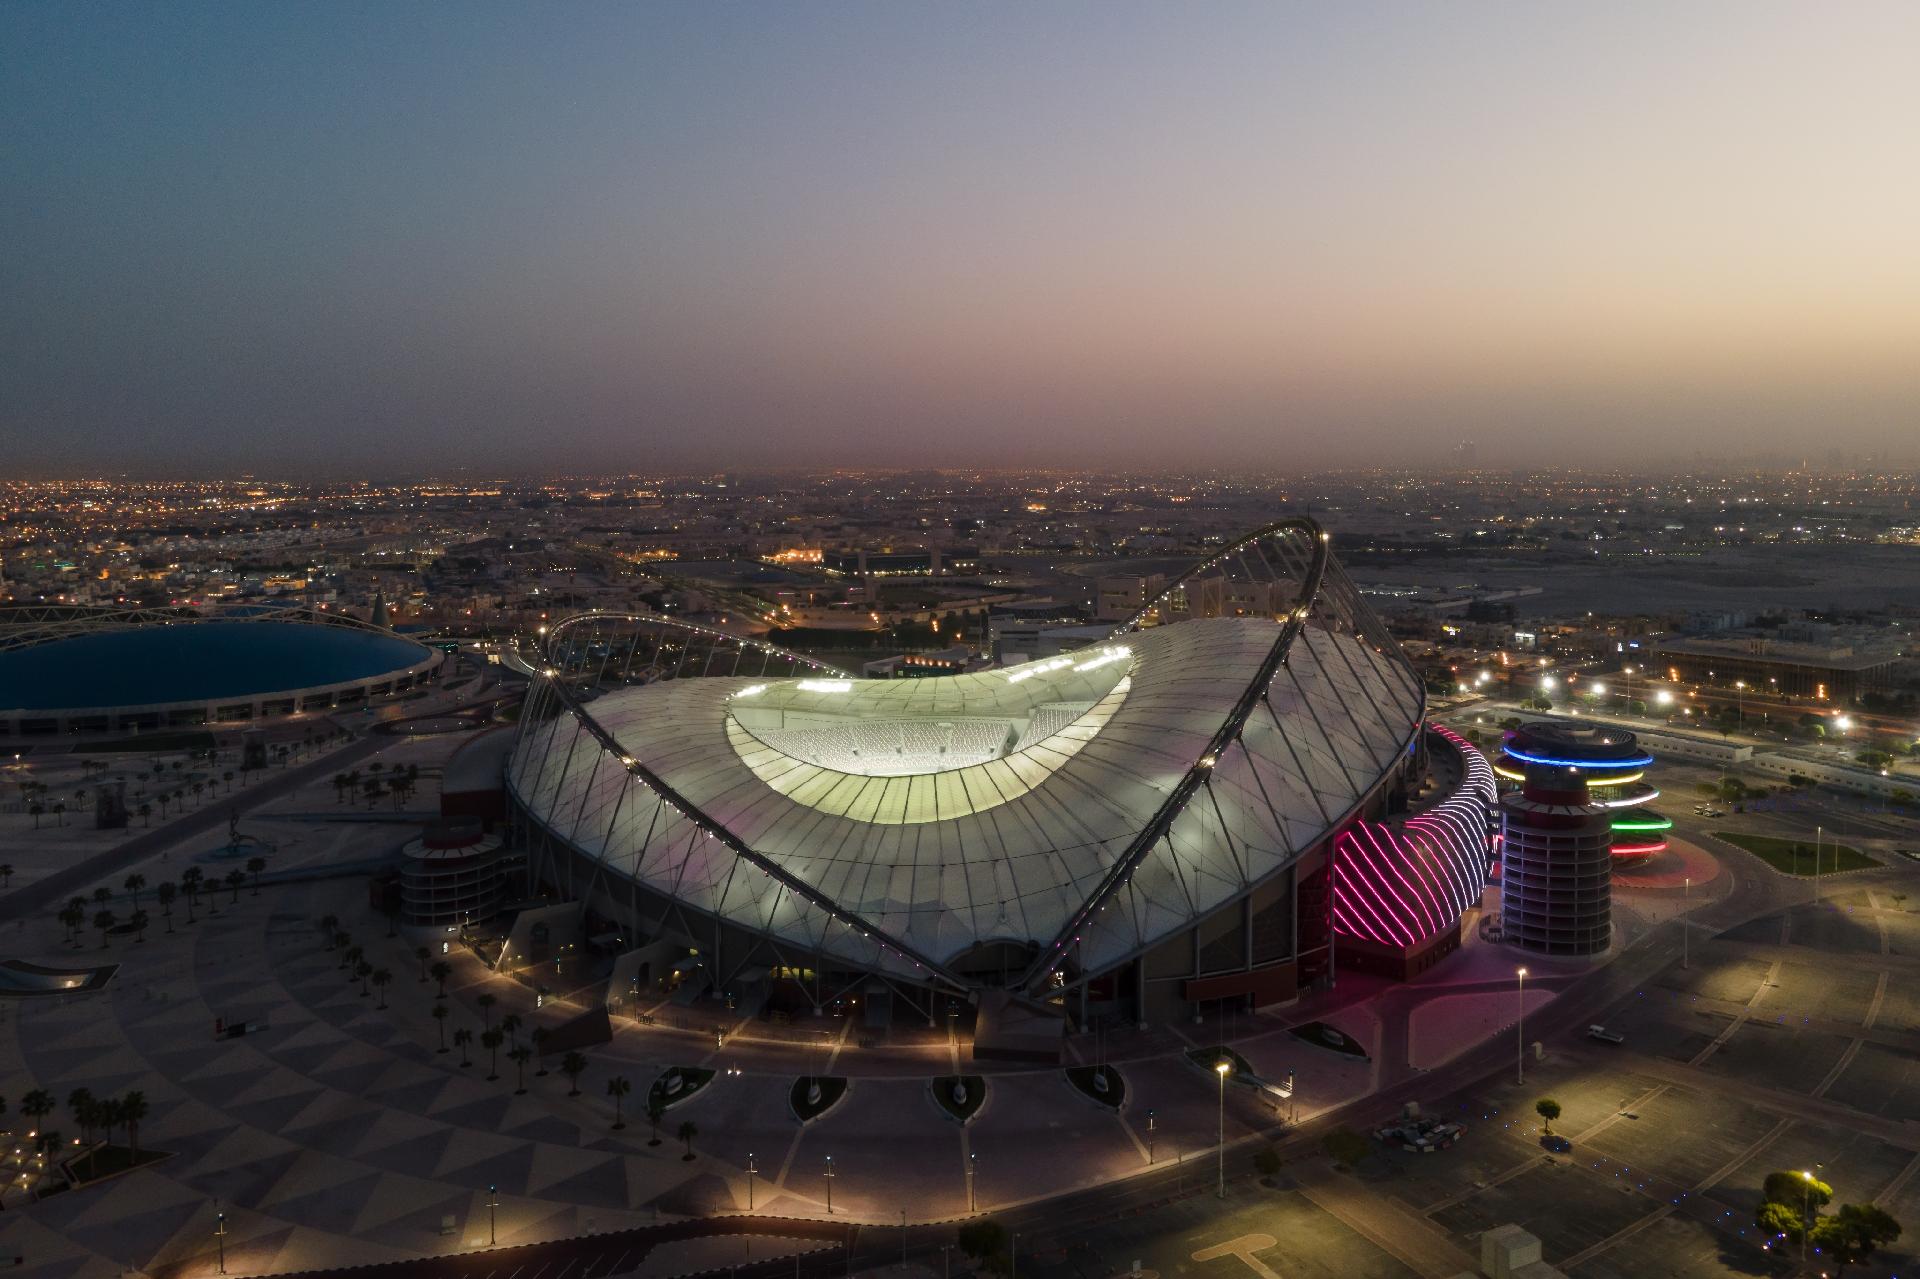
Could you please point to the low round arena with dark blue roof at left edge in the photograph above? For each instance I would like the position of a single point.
(120, 671)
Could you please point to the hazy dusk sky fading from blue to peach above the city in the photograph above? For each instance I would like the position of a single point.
(400, 237)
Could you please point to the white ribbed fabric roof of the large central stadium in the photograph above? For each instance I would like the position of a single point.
(999, 850)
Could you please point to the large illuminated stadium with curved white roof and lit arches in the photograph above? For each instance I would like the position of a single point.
(1147, 829)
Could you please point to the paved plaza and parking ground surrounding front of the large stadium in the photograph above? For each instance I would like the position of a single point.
(341, 1136)
